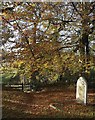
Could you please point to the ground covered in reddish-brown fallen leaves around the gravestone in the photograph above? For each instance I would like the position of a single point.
(49, 103)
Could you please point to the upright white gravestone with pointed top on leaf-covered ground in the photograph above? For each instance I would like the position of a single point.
(81, 91)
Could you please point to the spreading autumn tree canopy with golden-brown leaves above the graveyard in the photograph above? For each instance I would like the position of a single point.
(49, 37)
